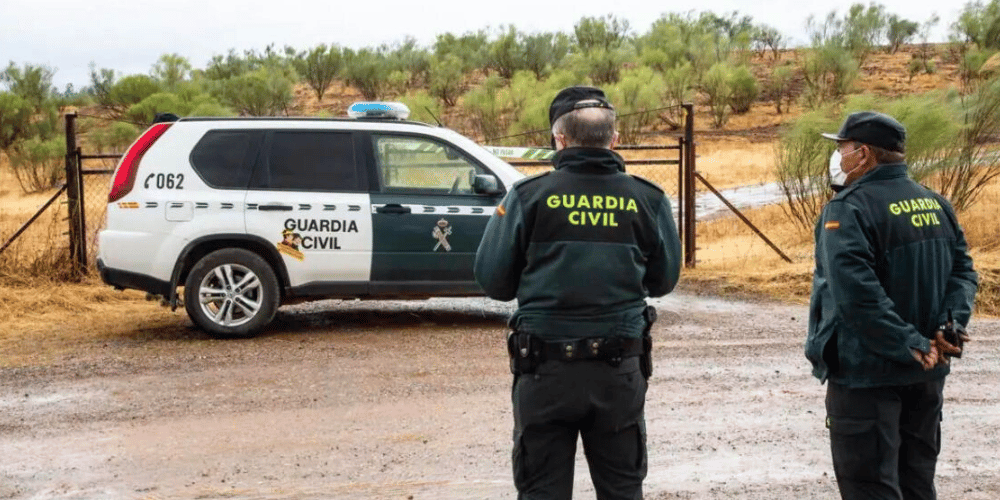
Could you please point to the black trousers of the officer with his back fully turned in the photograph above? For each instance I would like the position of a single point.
(591, 399)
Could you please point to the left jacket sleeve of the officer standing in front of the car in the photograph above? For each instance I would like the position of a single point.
(501, 254)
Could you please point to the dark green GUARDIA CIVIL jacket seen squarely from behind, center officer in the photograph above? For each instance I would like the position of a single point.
(580, 248)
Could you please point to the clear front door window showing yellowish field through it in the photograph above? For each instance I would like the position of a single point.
(421, 165)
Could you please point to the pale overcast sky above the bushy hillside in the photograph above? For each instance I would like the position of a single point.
(129, 35)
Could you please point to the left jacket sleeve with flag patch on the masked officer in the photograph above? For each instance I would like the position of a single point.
(848, 257)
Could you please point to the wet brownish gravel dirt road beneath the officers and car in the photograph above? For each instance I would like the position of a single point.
(401, 400)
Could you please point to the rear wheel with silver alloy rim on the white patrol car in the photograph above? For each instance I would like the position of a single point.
(231, 293)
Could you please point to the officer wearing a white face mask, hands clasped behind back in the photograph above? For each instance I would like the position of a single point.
(892, 292)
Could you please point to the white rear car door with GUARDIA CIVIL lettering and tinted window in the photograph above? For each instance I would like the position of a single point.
(308, 197)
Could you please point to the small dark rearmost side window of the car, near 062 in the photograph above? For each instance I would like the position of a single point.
(223, 157)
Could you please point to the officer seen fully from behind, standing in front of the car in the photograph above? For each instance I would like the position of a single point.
(580, 247)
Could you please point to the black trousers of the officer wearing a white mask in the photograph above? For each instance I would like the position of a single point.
(885, 440)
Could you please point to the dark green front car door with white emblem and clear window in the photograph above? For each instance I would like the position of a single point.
(427, 221)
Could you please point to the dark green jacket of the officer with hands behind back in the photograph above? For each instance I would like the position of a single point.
(891, 260)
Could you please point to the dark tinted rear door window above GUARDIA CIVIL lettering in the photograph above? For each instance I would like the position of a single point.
(310, 161)
